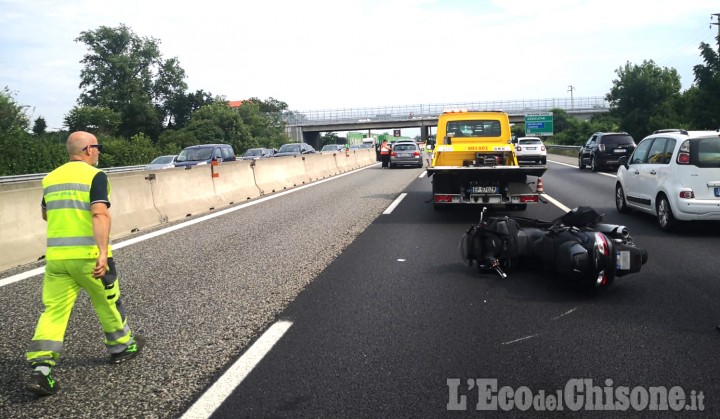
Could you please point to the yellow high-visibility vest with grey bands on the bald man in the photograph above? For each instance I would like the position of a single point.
(67, 200)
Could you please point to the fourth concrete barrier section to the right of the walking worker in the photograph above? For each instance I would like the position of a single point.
(278, 173)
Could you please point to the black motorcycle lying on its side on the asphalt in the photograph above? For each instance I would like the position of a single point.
(575, 247)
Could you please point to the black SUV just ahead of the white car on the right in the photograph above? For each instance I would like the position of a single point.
(604, 150)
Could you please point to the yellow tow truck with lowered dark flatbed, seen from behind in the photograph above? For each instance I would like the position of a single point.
(474, 163)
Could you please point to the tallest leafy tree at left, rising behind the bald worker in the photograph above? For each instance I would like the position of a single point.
(127, 74)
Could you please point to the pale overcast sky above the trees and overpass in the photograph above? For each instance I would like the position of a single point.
(329, 54)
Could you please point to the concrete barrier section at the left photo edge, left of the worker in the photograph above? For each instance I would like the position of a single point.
(24, 232)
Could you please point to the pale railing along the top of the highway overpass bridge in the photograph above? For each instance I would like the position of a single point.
(432, 111)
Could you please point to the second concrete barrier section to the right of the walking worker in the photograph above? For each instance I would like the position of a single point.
(179, 193)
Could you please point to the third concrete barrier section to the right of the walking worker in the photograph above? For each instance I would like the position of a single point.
(235, 181)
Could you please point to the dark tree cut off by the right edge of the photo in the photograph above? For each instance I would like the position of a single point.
(703, 100)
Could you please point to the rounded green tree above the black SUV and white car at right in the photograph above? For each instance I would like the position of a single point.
(644, 96)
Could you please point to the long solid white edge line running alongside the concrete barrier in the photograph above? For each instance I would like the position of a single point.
(39, 271)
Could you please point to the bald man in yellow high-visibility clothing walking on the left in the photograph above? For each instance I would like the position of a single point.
(75, 205)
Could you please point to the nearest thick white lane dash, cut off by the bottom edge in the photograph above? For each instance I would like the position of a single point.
(206, 405)
